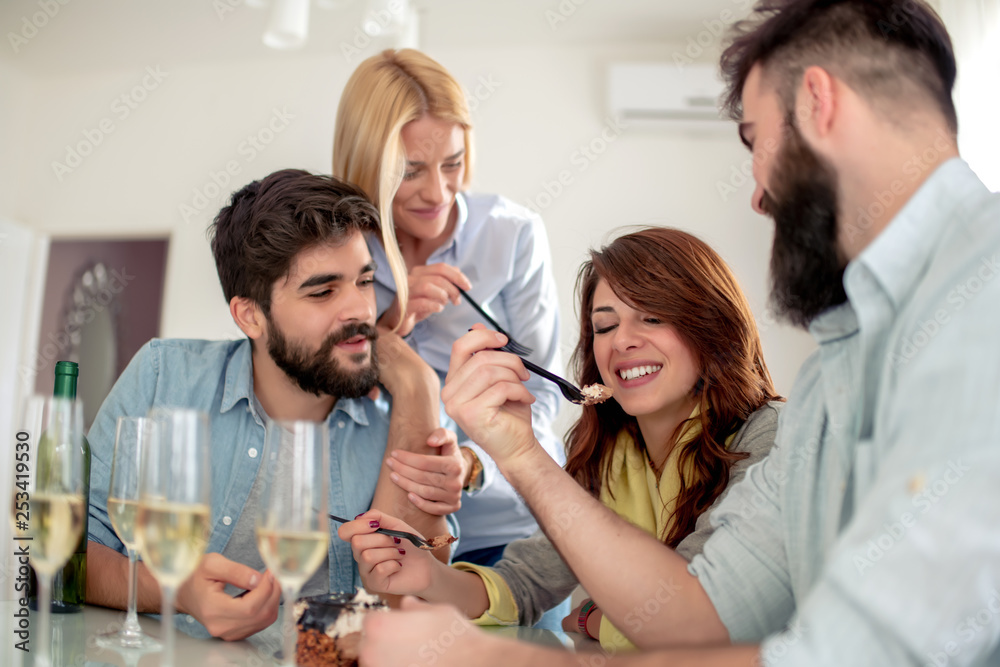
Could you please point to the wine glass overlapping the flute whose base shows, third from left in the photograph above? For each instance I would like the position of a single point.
(173, 522)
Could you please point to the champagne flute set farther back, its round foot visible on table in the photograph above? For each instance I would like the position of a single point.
(132, 437)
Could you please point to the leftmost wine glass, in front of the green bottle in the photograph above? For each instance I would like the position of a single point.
(48, 506)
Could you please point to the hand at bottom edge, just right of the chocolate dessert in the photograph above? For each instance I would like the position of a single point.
(403, 637)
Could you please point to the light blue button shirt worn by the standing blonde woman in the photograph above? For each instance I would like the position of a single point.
(504, 251)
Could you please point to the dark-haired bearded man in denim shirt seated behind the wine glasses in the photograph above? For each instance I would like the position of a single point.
(294, 266)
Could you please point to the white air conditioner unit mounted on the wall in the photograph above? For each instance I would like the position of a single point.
(665, 92)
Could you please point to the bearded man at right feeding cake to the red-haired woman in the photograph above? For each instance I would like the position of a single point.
(871, 534)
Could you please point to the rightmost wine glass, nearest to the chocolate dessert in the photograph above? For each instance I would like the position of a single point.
(292, 524)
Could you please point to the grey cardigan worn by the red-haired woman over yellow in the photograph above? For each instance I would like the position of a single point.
(538, 577)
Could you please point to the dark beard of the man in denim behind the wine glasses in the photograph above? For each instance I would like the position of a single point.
(319, 372)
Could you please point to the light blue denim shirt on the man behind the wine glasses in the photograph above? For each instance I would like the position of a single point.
(217, 377)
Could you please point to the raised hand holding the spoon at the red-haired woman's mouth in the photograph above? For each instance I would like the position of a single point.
(485, 394)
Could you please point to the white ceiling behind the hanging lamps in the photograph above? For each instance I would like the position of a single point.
(89, 35)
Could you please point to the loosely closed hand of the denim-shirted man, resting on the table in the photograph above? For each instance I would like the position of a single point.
(203, 596)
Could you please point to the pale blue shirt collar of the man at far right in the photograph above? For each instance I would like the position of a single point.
(900, 254)
